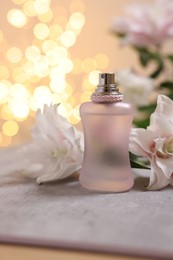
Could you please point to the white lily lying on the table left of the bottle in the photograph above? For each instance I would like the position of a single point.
(55, 152)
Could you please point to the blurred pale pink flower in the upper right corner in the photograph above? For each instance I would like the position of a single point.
(146, 24)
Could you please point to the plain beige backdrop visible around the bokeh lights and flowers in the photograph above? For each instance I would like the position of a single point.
(95, 38)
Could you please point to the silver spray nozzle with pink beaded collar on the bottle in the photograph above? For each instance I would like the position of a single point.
(107, 90)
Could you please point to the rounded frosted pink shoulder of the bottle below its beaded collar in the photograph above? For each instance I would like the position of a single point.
(107, 108)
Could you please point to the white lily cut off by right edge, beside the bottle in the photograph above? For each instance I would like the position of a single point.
(156, 143)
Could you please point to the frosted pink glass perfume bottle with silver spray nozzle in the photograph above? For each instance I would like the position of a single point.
(106, 123)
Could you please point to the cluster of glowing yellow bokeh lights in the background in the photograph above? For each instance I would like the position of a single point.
(43, 71)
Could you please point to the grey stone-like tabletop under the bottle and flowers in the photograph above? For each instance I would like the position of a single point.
(63, 214)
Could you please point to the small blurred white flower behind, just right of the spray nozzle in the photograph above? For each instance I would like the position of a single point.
(136, 89)
